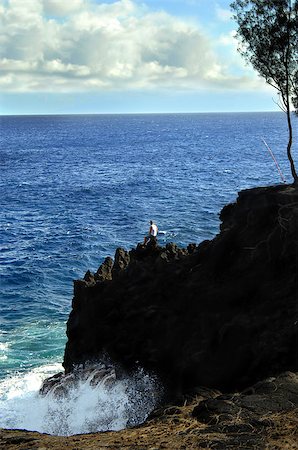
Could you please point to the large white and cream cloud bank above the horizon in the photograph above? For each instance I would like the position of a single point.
(81, 45)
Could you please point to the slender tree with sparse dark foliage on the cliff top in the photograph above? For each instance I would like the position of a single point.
(268, 35)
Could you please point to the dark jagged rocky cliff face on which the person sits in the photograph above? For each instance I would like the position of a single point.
(220, 314)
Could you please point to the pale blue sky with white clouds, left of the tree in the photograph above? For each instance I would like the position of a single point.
(124, 56)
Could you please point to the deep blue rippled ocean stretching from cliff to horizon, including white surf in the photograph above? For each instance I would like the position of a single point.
(73, 188)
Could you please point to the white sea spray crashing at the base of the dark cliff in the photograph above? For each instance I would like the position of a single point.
(84, 405)
